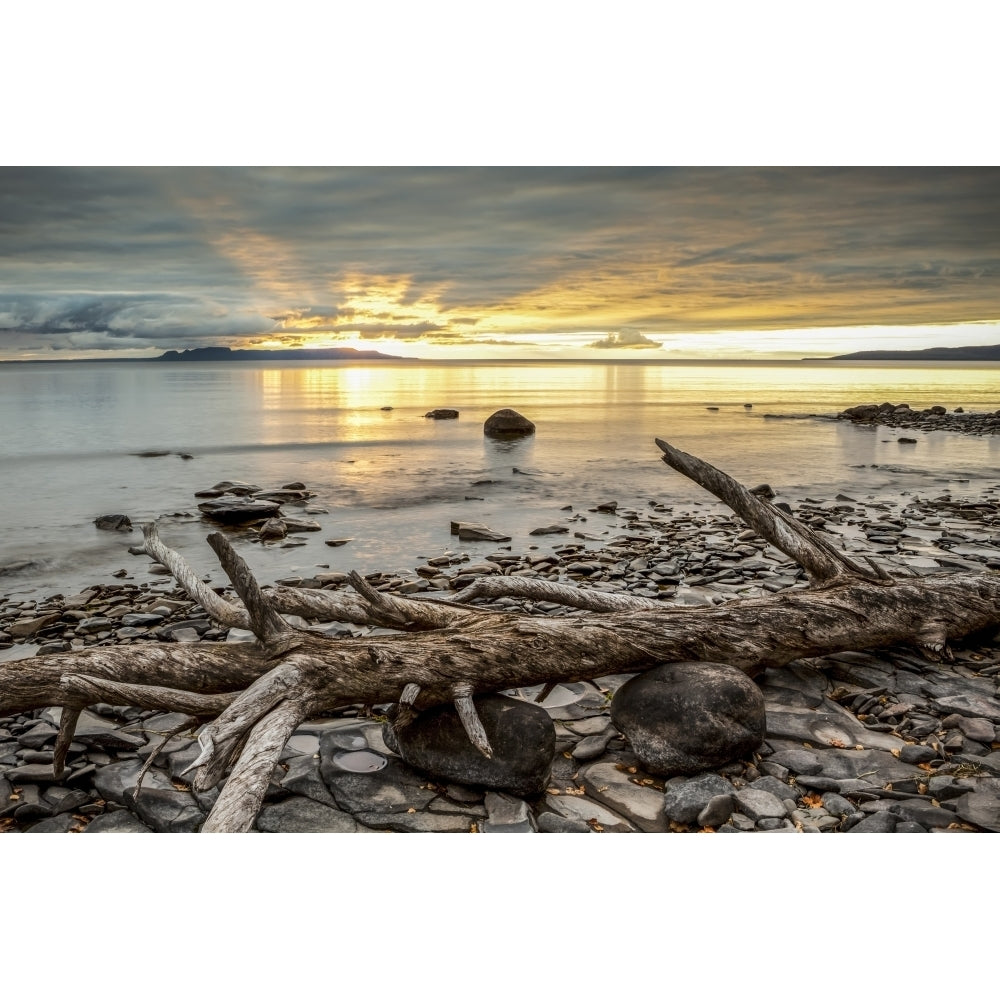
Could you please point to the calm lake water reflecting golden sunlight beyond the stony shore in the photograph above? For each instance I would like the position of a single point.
(393, 480)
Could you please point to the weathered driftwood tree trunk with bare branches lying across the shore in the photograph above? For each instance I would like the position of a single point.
(253, 696)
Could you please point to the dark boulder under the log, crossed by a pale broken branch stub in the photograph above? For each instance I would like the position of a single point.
(521, 734)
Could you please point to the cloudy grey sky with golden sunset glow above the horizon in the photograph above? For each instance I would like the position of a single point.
(467, 262)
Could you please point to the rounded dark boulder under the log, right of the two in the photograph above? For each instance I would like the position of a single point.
(690, 716)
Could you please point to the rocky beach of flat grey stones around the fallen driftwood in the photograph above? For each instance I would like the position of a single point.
(868, 741)
